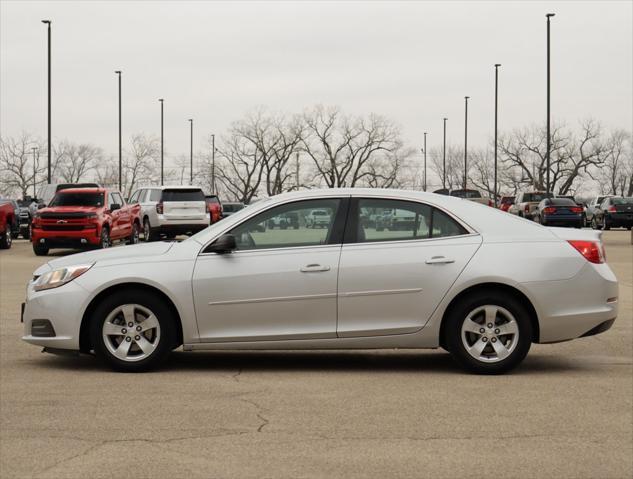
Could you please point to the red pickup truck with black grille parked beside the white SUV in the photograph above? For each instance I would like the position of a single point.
(85, 217)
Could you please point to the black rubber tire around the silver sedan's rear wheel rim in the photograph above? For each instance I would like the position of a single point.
(458, 315)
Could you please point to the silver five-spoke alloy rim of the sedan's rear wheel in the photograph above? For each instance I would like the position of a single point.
(490, 333)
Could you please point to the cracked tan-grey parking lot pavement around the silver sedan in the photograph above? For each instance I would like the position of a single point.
(566, 412)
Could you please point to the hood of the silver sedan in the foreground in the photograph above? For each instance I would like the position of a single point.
(127, 253)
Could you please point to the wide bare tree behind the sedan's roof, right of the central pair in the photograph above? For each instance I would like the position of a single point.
(341, 147)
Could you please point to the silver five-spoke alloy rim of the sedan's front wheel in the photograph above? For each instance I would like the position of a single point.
(131, 332)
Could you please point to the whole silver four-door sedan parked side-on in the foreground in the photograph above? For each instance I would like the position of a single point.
(473, 280)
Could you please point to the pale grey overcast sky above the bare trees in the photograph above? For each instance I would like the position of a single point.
(215, 61)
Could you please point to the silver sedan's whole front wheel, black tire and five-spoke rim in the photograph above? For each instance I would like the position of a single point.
(133, 331)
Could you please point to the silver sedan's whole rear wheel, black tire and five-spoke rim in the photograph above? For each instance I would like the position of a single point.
(488, 333)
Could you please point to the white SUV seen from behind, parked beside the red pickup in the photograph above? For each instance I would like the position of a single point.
(171, 210)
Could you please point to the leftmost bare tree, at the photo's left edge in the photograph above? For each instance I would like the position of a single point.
(18, 171)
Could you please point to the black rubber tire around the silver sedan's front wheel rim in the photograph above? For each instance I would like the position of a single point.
(166, 342)
